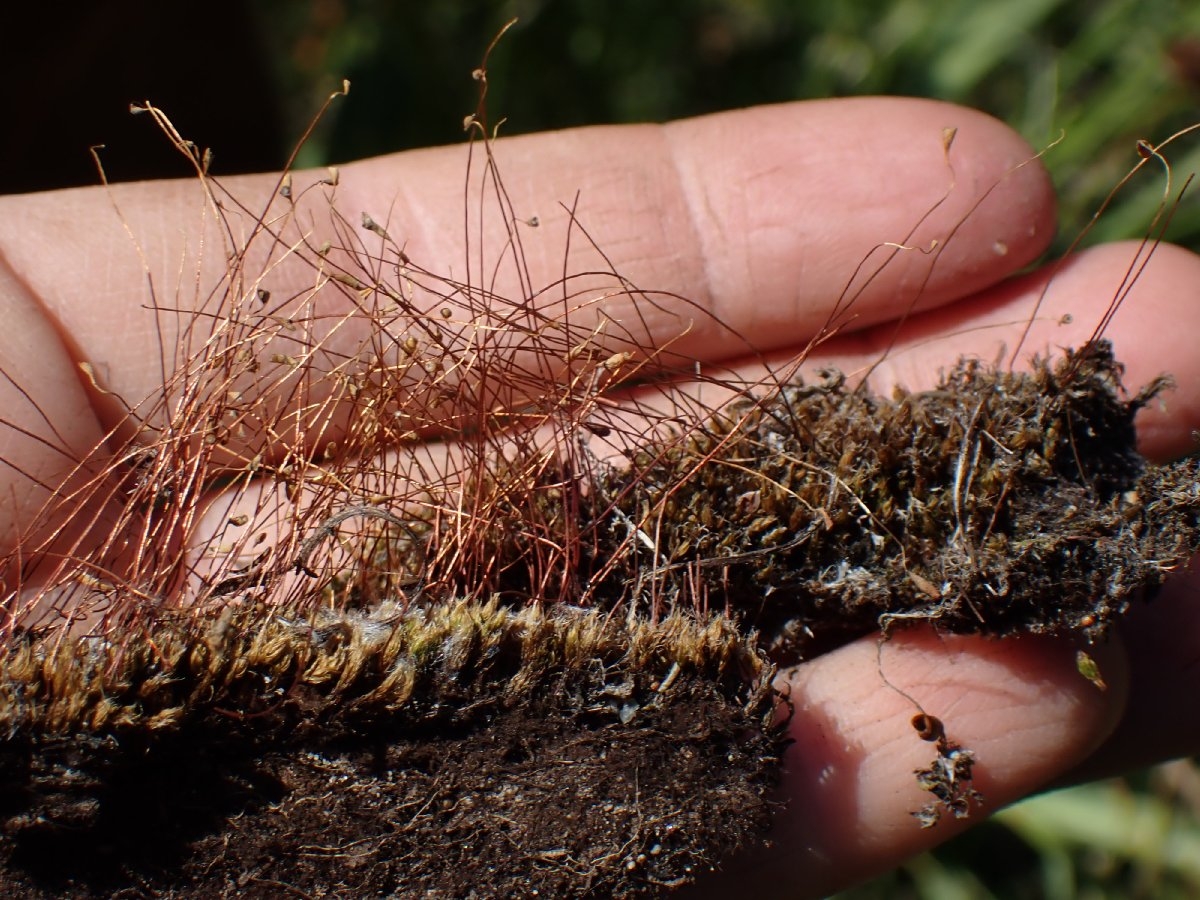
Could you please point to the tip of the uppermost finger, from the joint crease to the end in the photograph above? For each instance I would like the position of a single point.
(790, 201)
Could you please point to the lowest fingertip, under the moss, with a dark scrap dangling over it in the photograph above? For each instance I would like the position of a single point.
(1019, 705)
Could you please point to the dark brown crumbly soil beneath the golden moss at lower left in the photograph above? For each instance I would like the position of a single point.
(615, 778)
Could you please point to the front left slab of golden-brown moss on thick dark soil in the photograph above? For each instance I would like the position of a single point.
(461, 751)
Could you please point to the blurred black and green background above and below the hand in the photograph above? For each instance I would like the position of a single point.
(247, 76)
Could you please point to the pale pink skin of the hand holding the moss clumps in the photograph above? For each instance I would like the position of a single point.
(760, 217)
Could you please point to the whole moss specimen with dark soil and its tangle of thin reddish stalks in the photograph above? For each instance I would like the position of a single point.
(411, 673)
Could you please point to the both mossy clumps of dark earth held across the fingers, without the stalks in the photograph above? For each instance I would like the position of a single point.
(619, 741)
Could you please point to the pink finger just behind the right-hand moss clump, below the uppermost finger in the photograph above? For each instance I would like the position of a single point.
(1058, 308)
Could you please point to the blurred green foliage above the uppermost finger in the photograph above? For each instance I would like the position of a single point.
(1101, 75)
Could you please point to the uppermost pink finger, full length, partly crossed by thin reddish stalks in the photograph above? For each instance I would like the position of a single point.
(759, 218)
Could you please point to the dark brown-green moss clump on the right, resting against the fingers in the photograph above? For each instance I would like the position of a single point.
(997, 503)
